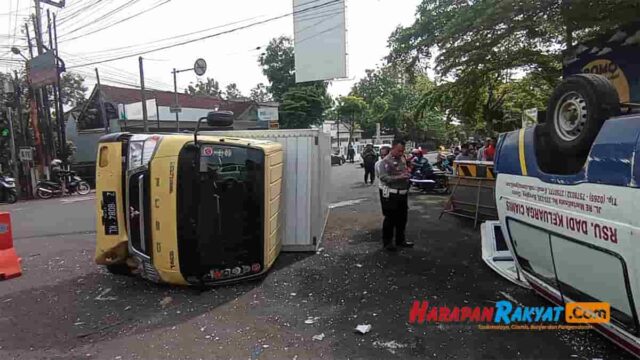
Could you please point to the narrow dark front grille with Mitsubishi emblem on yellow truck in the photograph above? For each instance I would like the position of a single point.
(138, 214)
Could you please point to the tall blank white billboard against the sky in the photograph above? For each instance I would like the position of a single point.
(320, 39)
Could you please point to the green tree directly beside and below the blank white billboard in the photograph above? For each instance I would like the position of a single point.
(301, 105)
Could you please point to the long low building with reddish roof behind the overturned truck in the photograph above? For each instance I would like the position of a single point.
(123, 110)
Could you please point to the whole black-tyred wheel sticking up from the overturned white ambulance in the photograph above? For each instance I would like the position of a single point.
(577, 109)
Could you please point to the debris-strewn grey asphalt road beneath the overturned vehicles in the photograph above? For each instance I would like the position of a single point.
(65, 307)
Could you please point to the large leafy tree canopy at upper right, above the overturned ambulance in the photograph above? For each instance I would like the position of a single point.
(477, 48)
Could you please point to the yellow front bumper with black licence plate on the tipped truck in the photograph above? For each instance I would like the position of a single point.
(111, 235)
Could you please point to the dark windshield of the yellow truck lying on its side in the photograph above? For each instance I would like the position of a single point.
(220, 208)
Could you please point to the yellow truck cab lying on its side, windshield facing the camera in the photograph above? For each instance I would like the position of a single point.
(185, 209)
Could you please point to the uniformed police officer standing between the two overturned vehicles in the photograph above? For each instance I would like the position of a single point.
(394, 187)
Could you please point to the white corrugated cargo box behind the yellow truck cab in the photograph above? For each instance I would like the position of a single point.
(307, 174)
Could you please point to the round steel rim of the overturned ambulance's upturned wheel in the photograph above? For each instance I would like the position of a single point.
(570, 116)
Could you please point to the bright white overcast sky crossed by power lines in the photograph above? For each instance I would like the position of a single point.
(231, 58)
